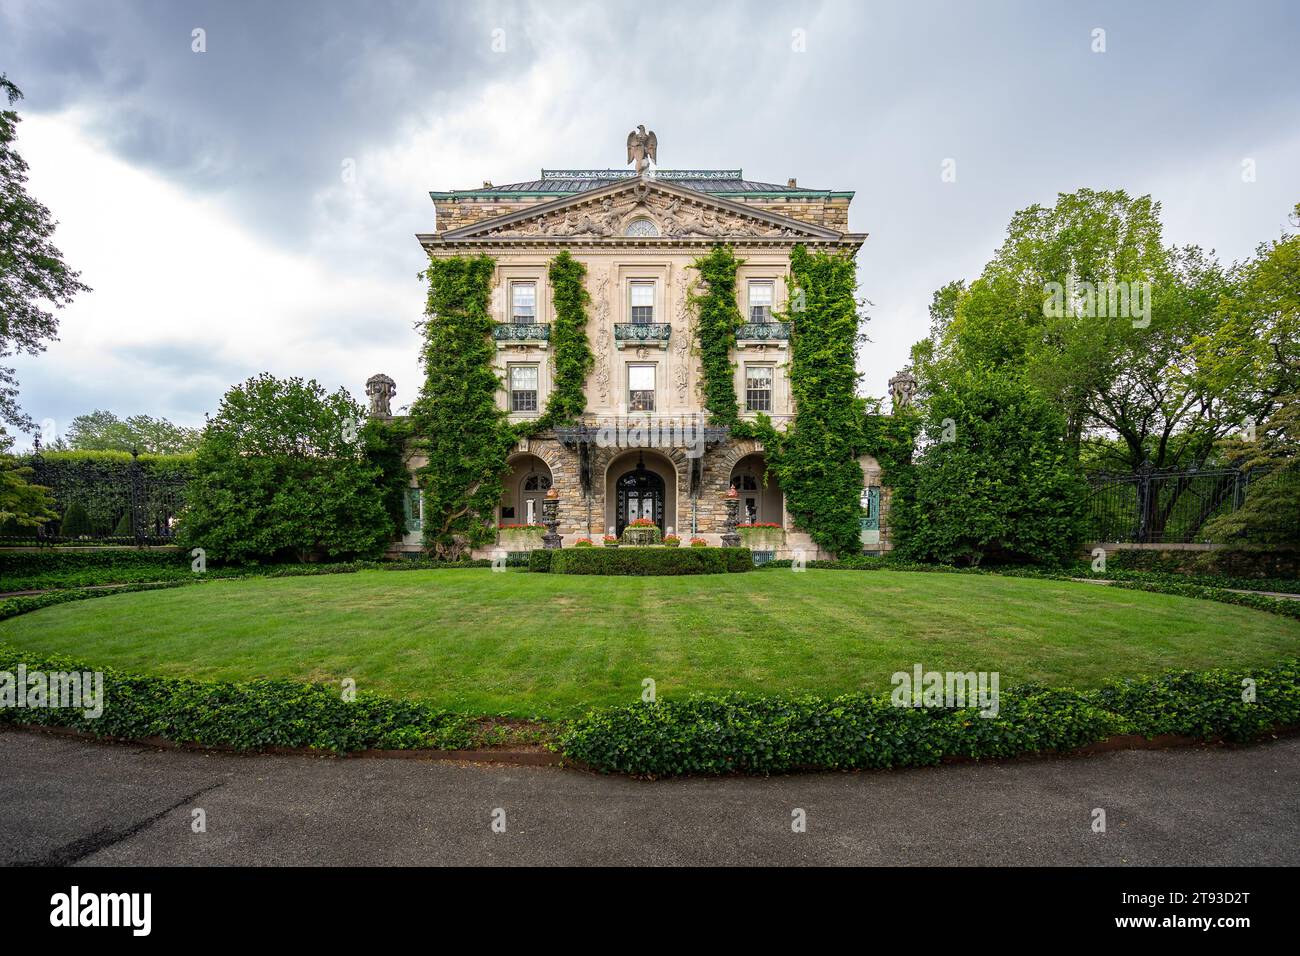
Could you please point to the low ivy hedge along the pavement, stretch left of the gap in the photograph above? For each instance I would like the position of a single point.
(246, 716)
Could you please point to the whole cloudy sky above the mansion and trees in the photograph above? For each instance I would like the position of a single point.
(202, 194)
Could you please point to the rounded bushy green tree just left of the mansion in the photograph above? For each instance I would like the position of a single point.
(283, 473)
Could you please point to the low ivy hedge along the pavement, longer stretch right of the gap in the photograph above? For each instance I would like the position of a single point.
(765, 736)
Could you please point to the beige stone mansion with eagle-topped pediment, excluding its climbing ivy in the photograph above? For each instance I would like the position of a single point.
(643, 449)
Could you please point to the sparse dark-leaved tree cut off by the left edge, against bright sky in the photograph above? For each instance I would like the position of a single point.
(33, 272)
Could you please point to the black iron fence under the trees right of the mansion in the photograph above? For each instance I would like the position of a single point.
(1163, 507)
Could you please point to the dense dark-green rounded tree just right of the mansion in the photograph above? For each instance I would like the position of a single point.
(995, 479)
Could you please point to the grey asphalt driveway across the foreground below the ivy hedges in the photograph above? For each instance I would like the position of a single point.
(73, 802)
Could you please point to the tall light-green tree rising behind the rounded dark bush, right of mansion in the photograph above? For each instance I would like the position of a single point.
(1086, 304)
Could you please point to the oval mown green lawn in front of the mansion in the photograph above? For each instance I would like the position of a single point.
(549, 646)
